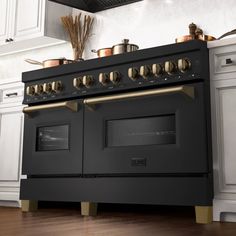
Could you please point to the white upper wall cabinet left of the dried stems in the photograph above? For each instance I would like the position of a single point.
(30, 24)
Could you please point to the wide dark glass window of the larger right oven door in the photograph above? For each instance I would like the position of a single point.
(158, 130)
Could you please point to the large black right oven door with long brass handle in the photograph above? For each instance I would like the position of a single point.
(155, 131)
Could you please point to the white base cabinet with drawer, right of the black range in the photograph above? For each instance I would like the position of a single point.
(223, 101)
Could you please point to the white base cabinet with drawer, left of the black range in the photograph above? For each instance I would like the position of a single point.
(11, 133)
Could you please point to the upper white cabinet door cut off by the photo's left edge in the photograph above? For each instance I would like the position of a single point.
(4, 20)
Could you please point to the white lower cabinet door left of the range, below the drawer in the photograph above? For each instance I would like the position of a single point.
(11, 120)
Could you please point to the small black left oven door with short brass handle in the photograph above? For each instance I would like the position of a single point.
(53, 139)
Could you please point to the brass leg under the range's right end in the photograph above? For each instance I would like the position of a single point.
(203, 214)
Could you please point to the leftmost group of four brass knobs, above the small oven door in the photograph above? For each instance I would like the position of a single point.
(46, 88)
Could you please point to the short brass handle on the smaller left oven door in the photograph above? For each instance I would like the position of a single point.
(71, 105)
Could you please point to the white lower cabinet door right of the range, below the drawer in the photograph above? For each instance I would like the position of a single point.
(224, 131)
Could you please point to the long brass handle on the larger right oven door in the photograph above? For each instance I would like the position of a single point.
(187, 90)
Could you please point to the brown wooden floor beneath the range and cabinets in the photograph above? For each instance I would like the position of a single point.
(112, 220)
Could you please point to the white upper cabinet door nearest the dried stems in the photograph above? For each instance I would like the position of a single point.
(28, 22)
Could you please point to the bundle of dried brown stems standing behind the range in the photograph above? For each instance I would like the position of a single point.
(79, 29)
